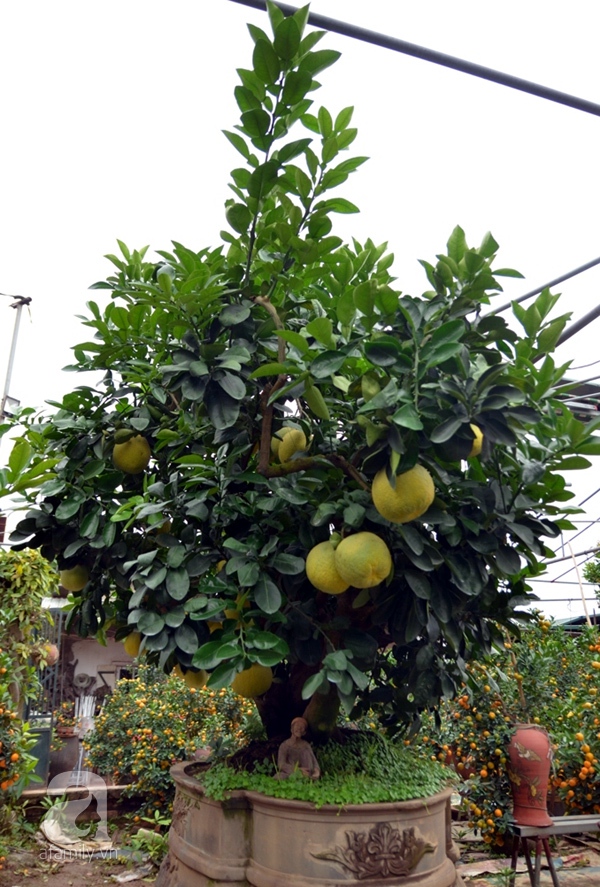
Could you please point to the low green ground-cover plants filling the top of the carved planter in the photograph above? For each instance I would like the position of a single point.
(366, 768)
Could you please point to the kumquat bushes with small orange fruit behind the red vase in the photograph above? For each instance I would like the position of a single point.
(549, 677)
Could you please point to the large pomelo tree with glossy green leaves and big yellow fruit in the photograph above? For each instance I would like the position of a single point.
(272, 379)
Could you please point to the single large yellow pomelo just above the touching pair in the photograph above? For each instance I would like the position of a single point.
(410, 498)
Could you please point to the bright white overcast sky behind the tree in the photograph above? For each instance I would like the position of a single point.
(112, 115)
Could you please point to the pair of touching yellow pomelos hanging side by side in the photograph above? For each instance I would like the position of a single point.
(362, 560)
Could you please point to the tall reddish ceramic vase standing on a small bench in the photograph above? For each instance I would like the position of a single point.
(530, 754)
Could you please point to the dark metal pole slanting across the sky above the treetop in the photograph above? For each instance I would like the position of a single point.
(438, 58)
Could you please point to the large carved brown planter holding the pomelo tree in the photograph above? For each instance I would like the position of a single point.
(252, 839)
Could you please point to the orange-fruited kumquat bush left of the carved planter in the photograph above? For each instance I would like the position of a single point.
(154, 720)
